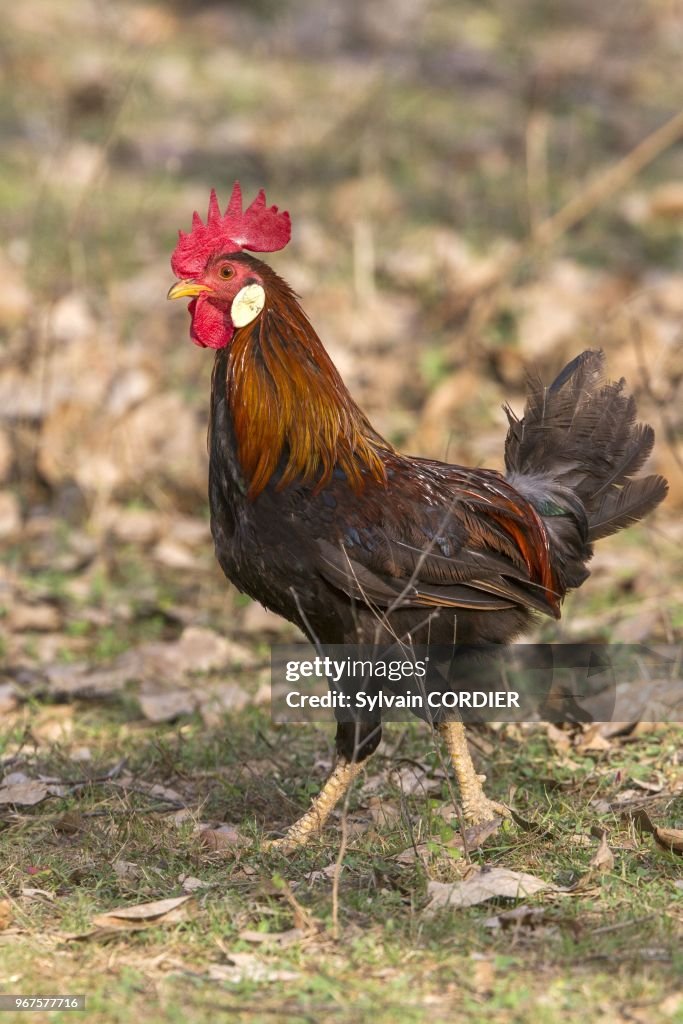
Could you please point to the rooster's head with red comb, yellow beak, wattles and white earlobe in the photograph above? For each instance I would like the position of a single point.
(225, 286)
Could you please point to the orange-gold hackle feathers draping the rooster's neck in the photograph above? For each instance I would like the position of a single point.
(286, 397)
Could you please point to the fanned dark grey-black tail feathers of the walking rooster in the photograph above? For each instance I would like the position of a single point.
(579, 440)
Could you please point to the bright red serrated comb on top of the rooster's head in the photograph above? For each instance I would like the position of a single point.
(260, 228)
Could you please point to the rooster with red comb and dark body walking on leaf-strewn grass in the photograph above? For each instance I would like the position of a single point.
(319, 518)
